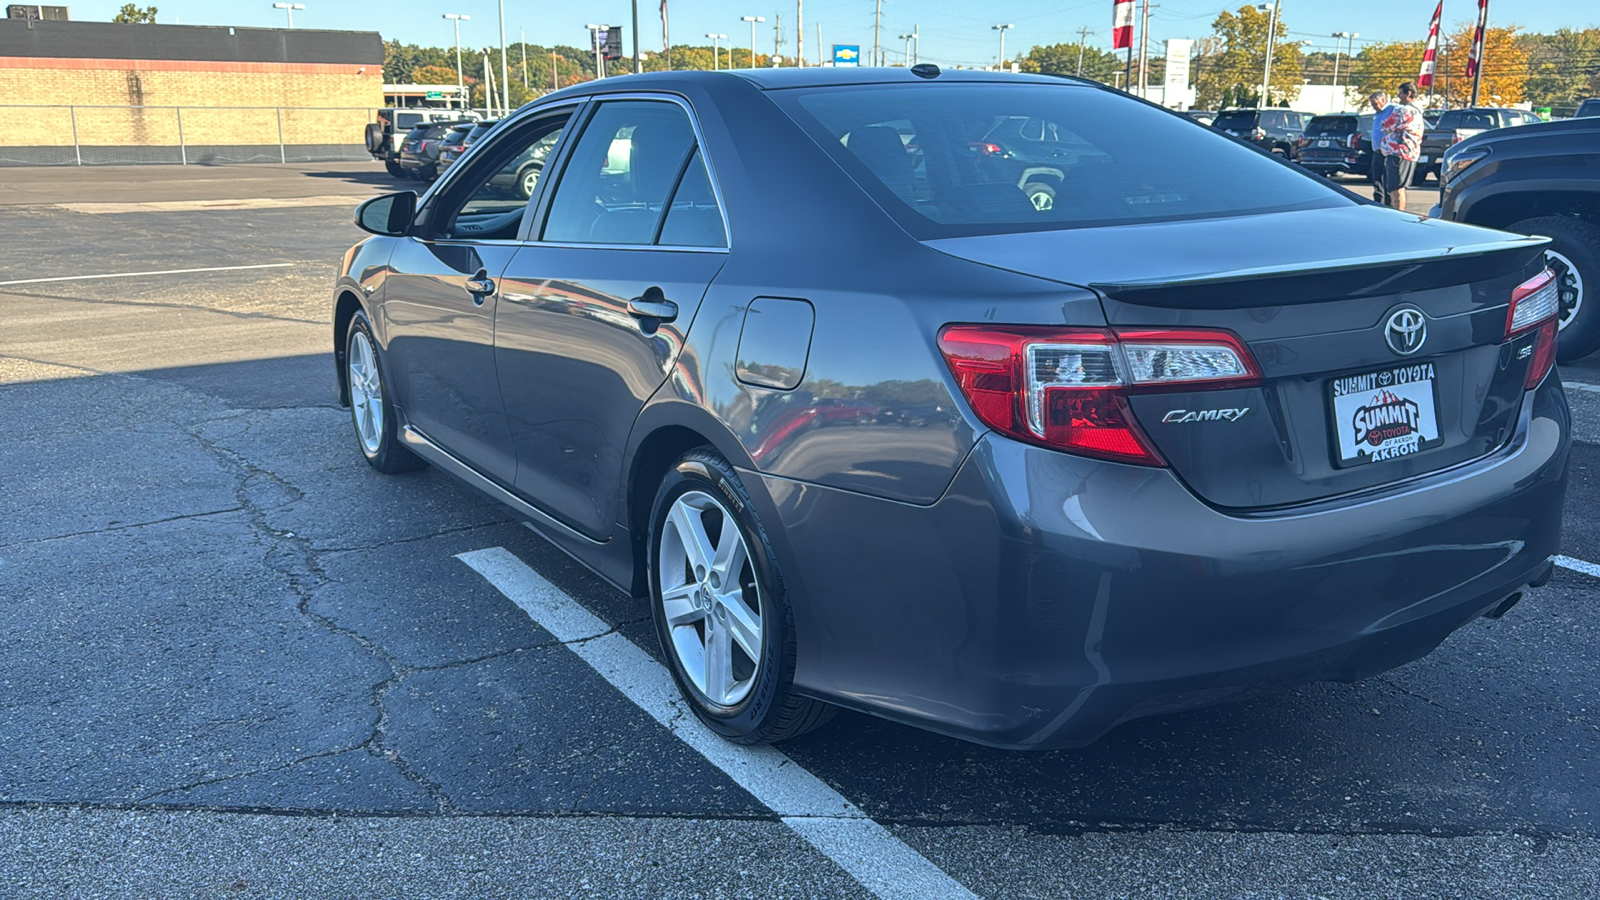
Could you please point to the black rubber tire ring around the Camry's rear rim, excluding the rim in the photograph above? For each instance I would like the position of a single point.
(711, 475)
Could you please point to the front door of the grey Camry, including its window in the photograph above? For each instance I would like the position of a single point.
(441, 299)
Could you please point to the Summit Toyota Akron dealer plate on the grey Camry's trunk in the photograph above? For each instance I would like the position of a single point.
(1385, 416)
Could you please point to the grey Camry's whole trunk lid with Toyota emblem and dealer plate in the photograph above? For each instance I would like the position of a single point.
(1346, 403)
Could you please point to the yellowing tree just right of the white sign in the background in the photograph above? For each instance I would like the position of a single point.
(1236, 73)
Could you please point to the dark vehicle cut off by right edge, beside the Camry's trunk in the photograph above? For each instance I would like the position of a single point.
(1540, 180)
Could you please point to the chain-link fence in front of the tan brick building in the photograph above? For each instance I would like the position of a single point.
(182, 135)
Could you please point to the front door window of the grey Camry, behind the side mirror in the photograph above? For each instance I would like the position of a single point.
(487, 203)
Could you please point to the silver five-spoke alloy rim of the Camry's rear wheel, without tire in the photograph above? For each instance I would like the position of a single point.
(711, 598)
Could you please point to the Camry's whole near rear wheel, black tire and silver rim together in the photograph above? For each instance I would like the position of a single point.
(750, 627)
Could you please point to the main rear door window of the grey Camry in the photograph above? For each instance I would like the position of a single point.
(622, 174)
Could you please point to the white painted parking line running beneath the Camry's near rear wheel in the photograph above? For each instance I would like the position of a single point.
(871, 854)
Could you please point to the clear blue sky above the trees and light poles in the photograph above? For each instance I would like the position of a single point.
(953, 33)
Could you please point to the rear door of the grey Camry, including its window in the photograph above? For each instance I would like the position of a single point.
(594, 307)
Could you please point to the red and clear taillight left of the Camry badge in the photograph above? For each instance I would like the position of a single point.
(1068, 388)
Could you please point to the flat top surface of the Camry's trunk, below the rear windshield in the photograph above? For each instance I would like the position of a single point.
(1231, 249)
